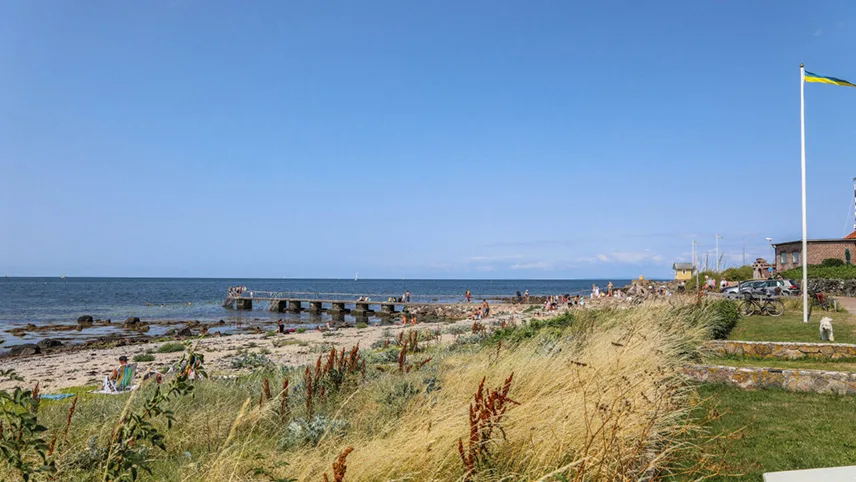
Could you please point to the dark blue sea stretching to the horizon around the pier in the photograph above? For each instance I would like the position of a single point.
(57, 300)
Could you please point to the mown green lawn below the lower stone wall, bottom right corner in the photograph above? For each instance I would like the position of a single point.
(783, 430)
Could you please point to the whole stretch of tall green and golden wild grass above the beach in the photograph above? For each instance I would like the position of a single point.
(599, 396)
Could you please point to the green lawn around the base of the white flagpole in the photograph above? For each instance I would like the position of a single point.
(789, 327)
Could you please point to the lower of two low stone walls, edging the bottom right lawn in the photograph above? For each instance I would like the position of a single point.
(817, 381)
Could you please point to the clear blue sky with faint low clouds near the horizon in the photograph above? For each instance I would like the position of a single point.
(443, 139)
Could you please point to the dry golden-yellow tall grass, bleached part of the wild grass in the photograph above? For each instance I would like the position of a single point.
(601, 408)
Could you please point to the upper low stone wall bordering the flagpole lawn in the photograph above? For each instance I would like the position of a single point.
(784, 350)
